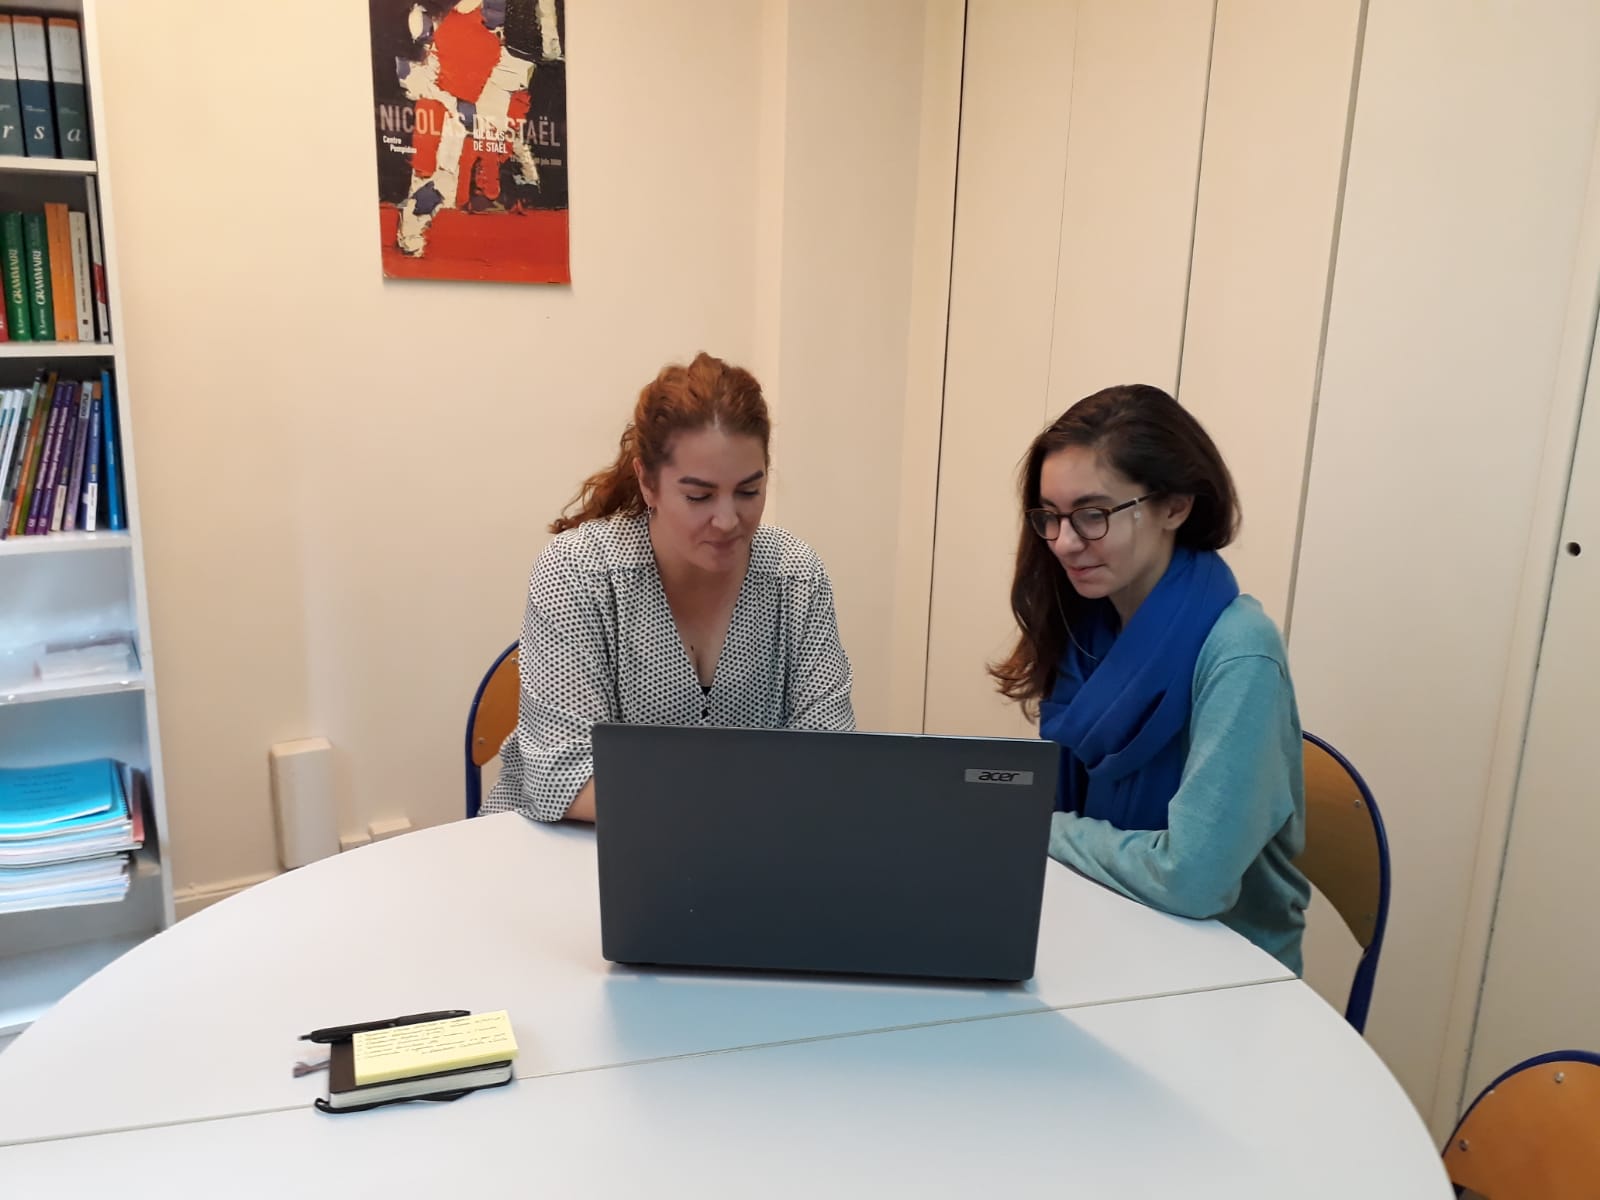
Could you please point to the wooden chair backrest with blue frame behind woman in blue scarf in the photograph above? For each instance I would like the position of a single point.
(1346, 858)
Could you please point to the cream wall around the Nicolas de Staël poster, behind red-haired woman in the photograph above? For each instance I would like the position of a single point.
(345, 481)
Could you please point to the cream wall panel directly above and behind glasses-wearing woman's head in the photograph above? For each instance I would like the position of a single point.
(1266, 222)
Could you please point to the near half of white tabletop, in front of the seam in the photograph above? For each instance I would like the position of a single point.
(1258, 1092)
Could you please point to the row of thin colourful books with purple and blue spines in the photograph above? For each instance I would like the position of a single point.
(60, 470)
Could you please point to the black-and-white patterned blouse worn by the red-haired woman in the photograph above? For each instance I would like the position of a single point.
(599, 644)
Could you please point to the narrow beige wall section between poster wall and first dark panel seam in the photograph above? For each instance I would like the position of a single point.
(868, 185)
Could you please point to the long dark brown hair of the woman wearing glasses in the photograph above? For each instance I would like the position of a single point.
(1151, 439)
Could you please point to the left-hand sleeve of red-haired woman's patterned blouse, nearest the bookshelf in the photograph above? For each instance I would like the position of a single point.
(569, 684)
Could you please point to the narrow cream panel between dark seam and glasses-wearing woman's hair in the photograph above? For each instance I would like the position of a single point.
(1014, 146)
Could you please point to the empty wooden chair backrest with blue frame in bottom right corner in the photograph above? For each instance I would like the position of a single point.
(1532, 1134)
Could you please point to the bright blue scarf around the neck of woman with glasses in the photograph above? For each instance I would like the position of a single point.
(1124, 719)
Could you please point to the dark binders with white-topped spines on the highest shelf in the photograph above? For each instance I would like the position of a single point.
(44, 110)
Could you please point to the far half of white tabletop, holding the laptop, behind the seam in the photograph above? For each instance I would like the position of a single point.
(498, 913)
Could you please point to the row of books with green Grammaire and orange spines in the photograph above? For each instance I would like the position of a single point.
(54, 276)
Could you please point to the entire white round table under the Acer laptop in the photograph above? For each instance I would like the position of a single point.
(1148, 1057)
